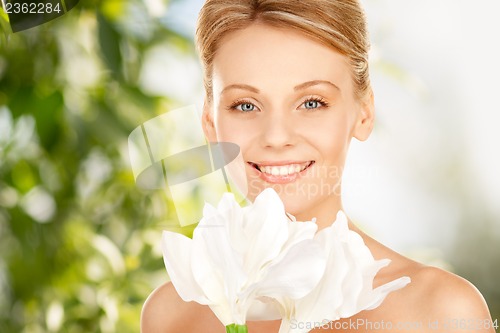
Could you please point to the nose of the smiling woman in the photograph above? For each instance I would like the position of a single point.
(278, 130)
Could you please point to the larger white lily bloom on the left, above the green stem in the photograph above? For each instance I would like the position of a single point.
(239, 257)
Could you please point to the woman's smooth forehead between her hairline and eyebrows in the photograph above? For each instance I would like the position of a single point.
(279, 56)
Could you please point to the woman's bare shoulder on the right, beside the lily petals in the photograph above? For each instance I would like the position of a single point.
(433, 296)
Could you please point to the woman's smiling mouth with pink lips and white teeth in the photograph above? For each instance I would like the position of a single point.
(280, 173)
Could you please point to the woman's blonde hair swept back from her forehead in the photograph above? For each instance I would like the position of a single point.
(340, 24)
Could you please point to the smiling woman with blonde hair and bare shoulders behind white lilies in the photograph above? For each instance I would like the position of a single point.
(288, 82)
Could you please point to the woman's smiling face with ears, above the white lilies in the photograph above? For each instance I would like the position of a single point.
(289, 103)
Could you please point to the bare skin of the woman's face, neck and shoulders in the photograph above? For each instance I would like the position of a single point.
(283, 98)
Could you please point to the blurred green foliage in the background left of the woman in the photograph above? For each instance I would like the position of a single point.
(79, 242)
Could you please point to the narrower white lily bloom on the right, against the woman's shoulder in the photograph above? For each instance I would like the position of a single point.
(346, 287)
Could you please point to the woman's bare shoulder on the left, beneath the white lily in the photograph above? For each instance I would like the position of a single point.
(165, 312)
